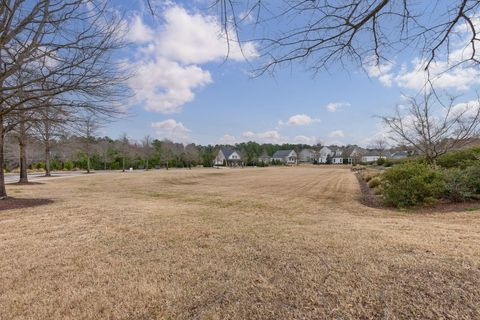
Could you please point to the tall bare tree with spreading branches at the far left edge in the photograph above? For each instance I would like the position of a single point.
(62, 50)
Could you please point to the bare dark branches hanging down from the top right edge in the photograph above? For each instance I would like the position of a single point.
(320, 33)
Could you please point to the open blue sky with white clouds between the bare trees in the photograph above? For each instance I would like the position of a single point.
(186, 92)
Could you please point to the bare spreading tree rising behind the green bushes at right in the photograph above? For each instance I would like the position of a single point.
(432, 127)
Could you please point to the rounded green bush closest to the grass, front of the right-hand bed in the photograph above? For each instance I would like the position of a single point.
(412, 184)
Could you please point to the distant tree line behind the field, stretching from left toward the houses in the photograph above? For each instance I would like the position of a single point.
(81, 148)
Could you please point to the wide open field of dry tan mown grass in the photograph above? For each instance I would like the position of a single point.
(265, 243)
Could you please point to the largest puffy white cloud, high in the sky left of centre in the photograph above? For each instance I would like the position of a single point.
(168, 57)
